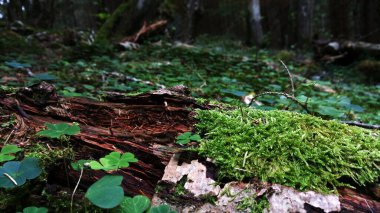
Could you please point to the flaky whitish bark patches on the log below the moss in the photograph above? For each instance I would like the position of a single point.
(281, 198)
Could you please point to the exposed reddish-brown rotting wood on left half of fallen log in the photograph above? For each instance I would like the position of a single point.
(145, 125)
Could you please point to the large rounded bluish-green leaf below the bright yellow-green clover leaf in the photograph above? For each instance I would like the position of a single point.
(106, 193)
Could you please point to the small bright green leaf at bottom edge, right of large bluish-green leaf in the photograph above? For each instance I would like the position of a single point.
(137, 204)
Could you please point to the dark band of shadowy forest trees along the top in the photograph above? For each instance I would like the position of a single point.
(280, 23)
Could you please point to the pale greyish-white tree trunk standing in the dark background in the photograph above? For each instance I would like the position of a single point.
(255, 22)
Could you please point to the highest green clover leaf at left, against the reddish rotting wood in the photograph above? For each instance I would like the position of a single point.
(57, 130)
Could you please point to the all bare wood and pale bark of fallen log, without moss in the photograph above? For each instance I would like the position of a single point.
(147, 125)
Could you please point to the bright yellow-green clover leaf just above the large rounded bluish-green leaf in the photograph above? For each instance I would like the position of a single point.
(113, 161)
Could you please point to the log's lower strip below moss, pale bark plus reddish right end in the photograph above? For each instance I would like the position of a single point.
(200, 184)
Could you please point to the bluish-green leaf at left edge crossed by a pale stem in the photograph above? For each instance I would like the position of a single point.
(15, 173)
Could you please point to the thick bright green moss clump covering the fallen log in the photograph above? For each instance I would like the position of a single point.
(292, 149)
